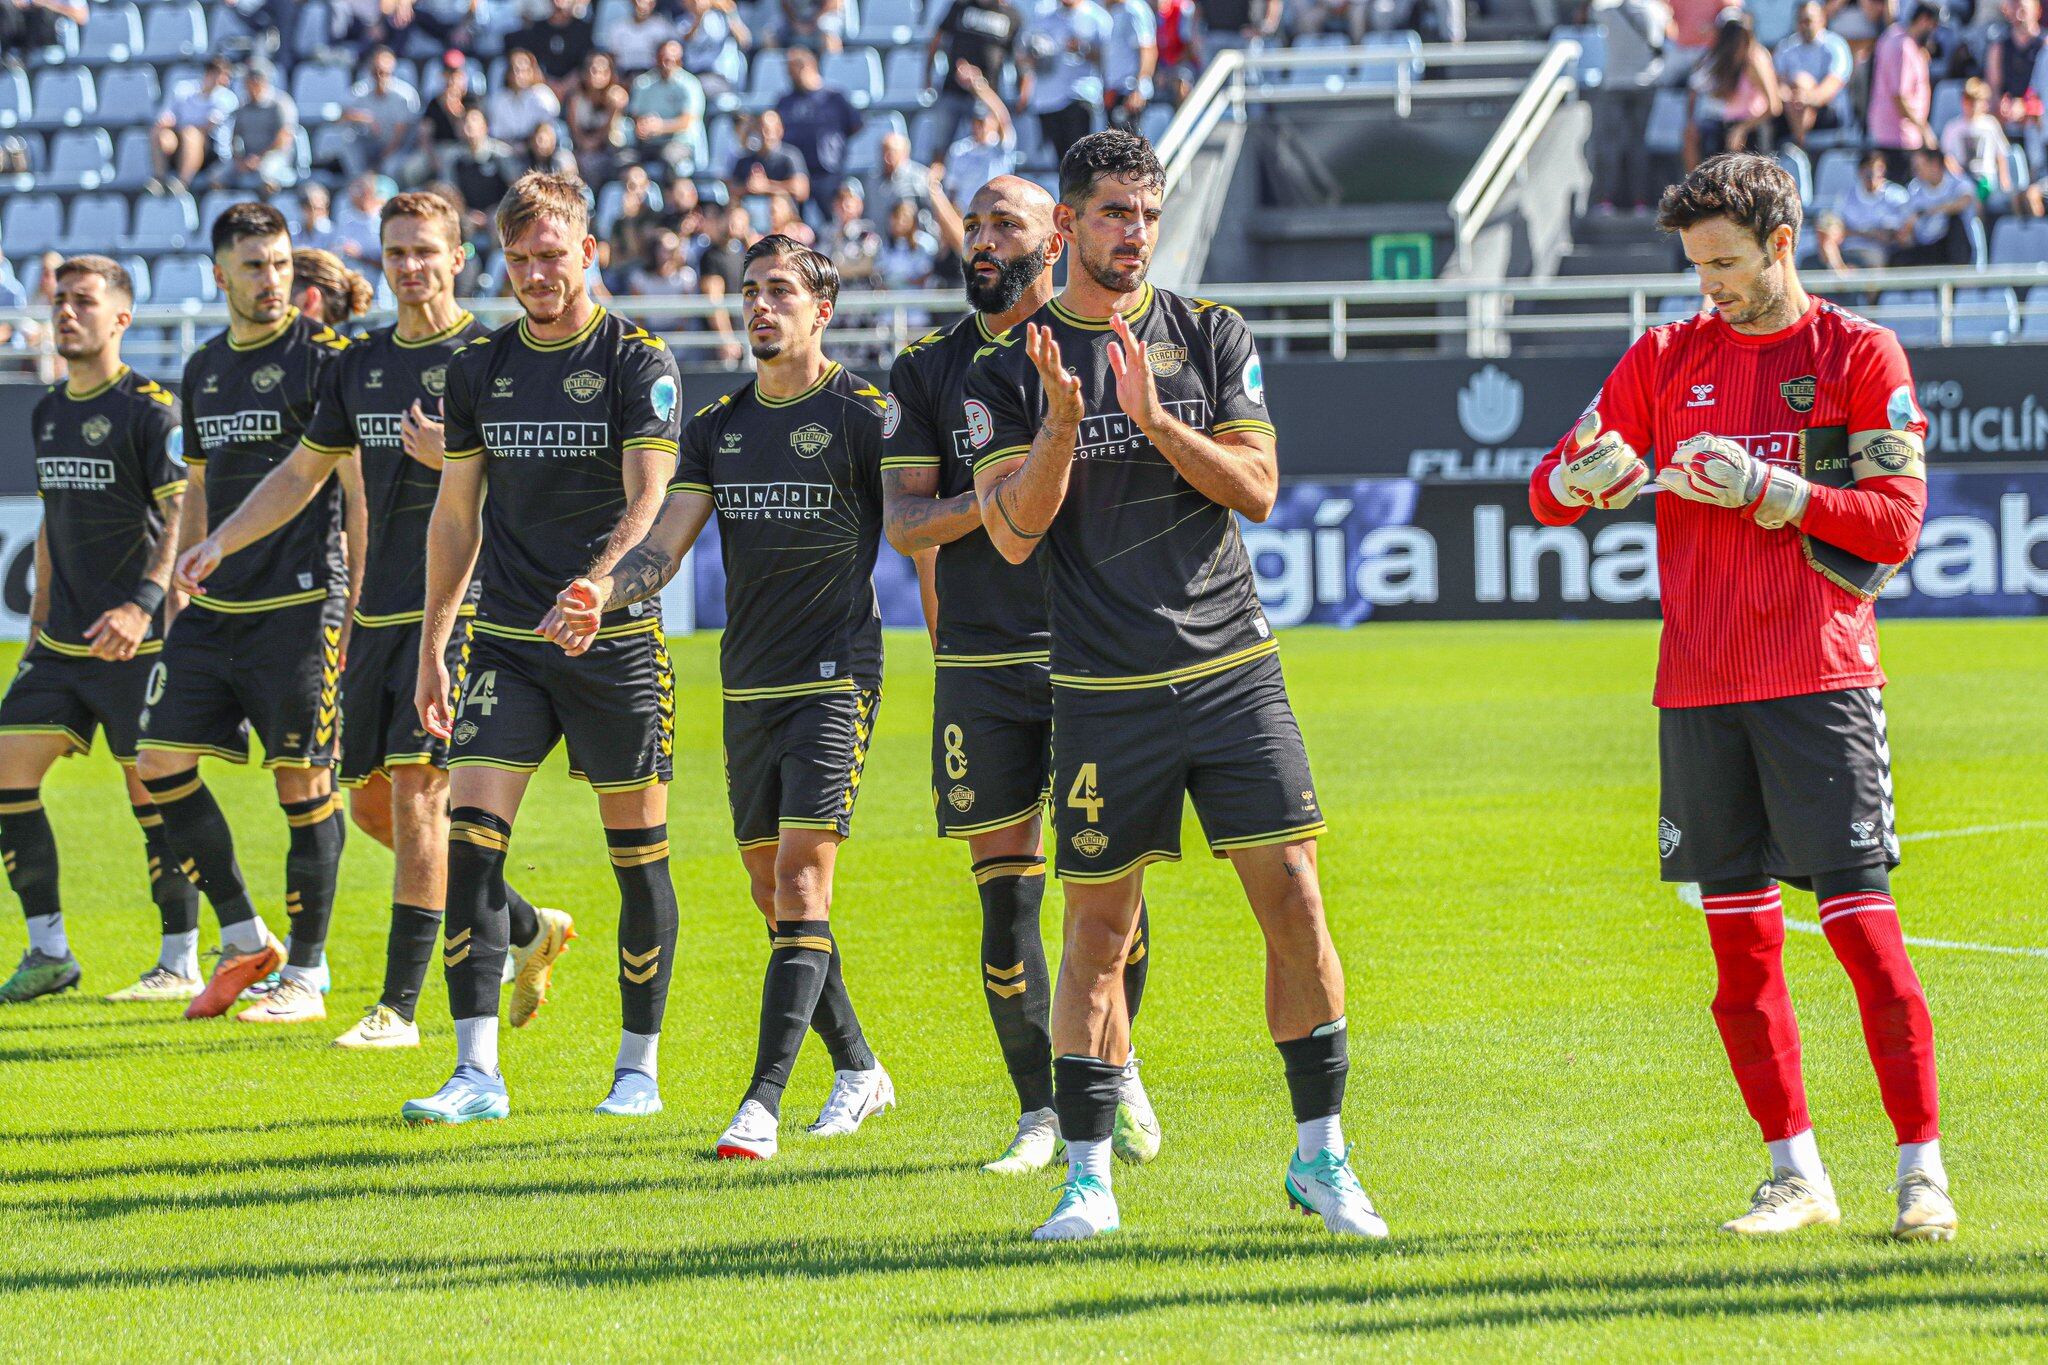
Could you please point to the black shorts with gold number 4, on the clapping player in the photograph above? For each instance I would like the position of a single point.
(1123, 762)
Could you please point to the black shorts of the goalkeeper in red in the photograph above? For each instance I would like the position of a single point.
(1783, 789)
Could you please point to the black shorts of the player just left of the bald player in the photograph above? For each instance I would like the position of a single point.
(796, 762)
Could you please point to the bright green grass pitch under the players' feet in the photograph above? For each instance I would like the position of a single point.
(1539, 1100)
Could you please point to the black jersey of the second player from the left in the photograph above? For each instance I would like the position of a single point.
(247, 406)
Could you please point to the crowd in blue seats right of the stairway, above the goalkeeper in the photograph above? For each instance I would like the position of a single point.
(1936, 107)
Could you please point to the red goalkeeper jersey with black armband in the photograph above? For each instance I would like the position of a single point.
(1746, 617)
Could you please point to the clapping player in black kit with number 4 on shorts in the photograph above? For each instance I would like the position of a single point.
(1127, 474)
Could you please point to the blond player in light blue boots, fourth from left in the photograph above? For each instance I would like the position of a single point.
(568, 421)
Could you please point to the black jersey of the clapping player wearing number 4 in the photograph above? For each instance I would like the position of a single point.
(1148, 580)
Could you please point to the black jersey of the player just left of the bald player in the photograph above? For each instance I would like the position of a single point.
(798, 488)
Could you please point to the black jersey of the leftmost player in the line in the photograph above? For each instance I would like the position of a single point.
(101, 461)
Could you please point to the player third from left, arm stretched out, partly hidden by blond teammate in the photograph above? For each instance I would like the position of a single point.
(382, 400)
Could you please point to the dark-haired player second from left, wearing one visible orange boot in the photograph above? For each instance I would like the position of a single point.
(261, 646)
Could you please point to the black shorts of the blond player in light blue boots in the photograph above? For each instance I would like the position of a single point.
(615, 705)
